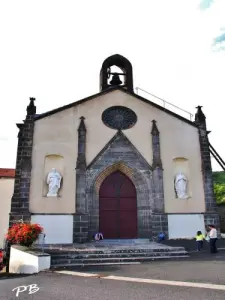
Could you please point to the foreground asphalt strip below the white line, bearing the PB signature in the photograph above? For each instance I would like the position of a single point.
(58, 287)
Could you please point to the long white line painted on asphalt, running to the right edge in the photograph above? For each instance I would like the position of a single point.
(167, 282)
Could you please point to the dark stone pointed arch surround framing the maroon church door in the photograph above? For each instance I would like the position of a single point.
(144, 189)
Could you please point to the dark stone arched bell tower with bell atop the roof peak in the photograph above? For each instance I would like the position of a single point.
(109, 78)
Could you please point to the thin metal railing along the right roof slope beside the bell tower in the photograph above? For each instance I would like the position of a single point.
(165, 104)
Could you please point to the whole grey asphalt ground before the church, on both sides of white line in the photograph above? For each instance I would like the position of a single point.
(199, 268)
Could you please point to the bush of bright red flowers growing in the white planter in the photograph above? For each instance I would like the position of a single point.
(23, 234)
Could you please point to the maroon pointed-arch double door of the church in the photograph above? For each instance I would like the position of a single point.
(118, 207)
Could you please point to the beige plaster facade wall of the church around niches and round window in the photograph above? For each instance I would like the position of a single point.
(57, 134)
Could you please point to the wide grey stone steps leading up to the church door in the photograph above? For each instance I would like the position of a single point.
(106, 256)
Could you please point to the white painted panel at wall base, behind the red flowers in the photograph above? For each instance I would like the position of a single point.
(57, 228)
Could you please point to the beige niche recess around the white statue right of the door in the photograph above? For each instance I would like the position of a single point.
(181, 164)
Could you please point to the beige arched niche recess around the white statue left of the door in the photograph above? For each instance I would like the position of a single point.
(52, 161)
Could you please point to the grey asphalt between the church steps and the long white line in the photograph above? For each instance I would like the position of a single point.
(201, 267)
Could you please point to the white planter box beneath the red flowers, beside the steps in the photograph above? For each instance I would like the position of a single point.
(27, 263)
